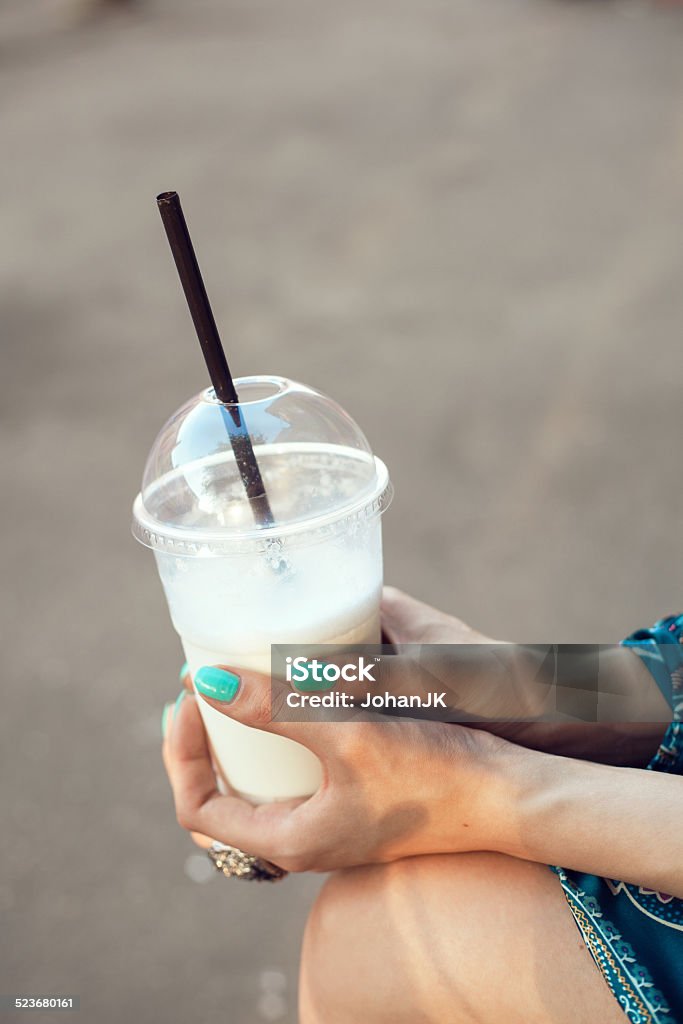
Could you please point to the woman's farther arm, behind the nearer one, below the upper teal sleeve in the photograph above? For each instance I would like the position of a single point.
(631, 713)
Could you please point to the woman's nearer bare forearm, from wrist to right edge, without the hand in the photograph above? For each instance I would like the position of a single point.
(617, 823)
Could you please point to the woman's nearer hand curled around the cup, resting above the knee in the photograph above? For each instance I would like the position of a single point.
(391, 789)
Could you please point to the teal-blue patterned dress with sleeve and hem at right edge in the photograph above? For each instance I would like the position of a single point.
(635, 934)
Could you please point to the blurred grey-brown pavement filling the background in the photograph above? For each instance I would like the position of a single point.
(463, 221)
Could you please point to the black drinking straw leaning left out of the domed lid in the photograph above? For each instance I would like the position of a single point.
(207, 332)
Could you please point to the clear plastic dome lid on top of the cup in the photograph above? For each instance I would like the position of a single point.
(315, 461)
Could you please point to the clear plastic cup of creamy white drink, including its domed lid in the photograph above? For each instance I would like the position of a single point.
(235, 588)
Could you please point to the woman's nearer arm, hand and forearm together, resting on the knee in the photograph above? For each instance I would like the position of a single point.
(401, 789)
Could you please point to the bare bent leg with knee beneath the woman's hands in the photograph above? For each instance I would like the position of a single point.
(452, 940)
